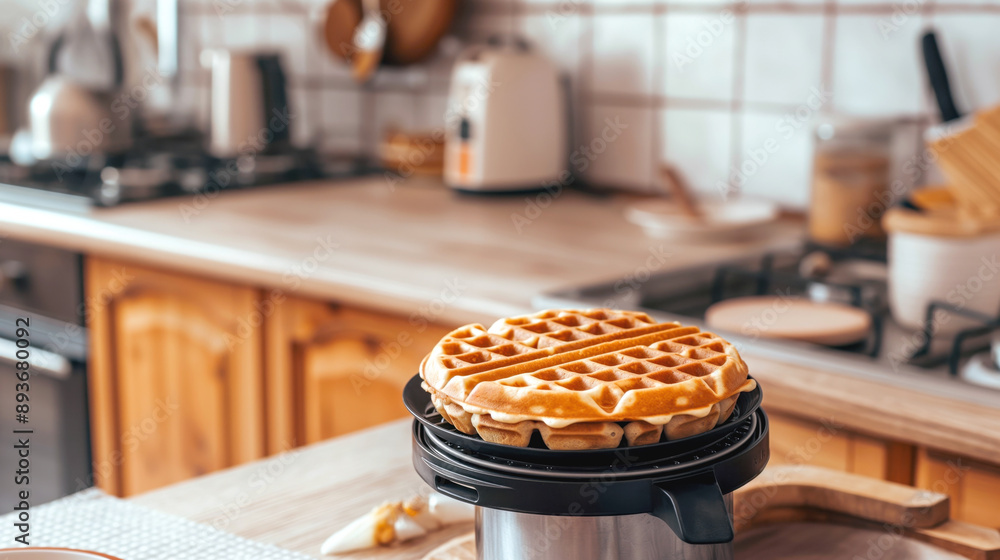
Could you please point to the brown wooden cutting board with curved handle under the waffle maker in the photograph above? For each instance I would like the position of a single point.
(801, 512)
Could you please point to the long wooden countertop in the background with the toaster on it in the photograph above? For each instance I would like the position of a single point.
(372, 244)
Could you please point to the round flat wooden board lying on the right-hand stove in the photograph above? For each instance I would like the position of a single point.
(832, 324)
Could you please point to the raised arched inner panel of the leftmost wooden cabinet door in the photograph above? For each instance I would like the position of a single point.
(172, 392)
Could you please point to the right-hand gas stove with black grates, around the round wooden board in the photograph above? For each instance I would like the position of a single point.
(946, 364)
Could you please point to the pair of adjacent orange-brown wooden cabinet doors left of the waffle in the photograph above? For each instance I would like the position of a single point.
(189, 375)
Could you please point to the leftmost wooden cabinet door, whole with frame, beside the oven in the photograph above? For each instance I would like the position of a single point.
(175, 376)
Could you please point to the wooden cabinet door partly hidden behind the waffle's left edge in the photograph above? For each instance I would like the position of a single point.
(333, 369)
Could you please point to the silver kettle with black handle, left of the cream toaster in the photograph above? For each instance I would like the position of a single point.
(249, 111)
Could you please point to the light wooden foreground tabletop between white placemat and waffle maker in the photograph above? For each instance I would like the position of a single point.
(297, 499)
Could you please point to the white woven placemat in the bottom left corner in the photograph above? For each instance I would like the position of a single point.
(92, 520)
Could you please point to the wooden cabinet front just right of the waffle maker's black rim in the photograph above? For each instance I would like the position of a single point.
(798, 441)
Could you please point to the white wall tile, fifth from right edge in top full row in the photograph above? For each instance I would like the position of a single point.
(623, 54)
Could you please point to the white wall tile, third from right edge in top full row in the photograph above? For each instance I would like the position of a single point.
(783, 56)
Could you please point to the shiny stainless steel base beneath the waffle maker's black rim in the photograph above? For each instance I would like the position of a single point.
(502, 535)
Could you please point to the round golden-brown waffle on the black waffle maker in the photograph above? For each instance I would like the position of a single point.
(584, 379)
